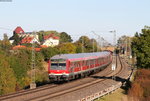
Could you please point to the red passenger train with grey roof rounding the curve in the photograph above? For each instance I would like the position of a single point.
(70, 66)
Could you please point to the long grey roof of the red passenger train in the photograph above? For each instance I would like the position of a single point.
(81, 55)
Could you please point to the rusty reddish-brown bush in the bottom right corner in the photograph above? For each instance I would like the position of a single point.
(140, 89)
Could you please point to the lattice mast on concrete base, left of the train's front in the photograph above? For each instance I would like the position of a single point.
(33, 84)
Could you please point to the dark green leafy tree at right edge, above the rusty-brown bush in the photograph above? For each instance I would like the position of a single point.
(141, 48)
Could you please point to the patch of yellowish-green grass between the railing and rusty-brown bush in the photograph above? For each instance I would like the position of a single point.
(118, 95)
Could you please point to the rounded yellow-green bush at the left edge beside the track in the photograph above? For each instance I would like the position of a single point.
(7, 77)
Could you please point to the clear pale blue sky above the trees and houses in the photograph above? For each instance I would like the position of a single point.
(76, 17)
